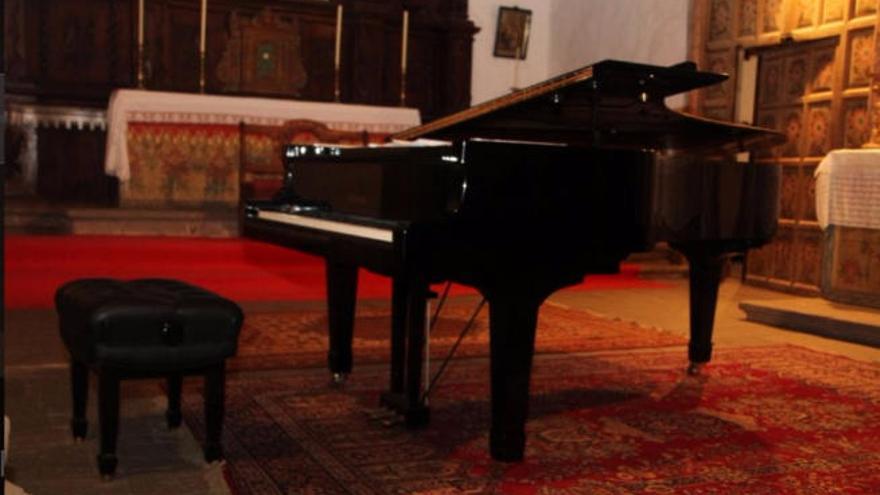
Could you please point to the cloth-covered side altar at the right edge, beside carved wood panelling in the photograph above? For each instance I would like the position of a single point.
(848, 209)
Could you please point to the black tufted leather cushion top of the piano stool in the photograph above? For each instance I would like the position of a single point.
(146, 324)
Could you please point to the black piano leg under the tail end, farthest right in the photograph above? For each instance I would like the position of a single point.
(706, 265)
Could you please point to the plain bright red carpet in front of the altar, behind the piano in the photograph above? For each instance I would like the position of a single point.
(240, 269)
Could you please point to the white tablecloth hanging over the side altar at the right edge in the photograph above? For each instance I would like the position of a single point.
(848, 189)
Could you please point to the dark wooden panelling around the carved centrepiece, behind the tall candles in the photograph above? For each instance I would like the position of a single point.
(77, 51)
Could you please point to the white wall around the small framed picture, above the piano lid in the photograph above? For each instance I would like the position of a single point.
(568, 34)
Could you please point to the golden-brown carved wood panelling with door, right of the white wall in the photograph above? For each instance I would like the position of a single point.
(815, 90)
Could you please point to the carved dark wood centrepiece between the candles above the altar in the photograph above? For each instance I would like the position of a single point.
(263, 55)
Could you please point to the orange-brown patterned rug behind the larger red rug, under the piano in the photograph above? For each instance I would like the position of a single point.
(298, 339)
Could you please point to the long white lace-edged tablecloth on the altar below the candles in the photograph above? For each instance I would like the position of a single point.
(128, 105)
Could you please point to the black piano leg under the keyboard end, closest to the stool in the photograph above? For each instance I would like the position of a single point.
(341, 296)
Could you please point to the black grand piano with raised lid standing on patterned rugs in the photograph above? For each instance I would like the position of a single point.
(522, 196)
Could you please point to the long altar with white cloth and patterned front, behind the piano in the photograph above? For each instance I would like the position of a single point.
(172, 149)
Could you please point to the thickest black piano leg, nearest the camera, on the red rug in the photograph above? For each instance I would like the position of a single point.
(512, 324)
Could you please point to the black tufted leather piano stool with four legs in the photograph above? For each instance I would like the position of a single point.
(145, 328)
